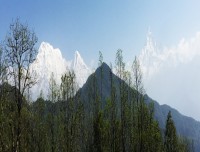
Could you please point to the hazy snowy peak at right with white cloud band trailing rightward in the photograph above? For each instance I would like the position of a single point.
(154, 59)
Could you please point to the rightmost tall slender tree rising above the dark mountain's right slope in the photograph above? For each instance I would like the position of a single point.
(138, 106)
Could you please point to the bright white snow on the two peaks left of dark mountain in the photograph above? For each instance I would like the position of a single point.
(50, 60)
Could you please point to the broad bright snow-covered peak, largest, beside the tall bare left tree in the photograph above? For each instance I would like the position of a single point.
(44, 66)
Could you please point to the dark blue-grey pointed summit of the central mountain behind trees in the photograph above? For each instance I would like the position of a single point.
(92, 86)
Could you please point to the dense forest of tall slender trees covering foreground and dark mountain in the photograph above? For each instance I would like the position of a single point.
(72, 119)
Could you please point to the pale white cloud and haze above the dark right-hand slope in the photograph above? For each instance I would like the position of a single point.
(172, 75)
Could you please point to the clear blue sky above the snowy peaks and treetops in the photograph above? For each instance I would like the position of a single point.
(90, 25)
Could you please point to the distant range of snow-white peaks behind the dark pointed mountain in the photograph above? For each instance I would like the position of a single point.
(50, 60)
